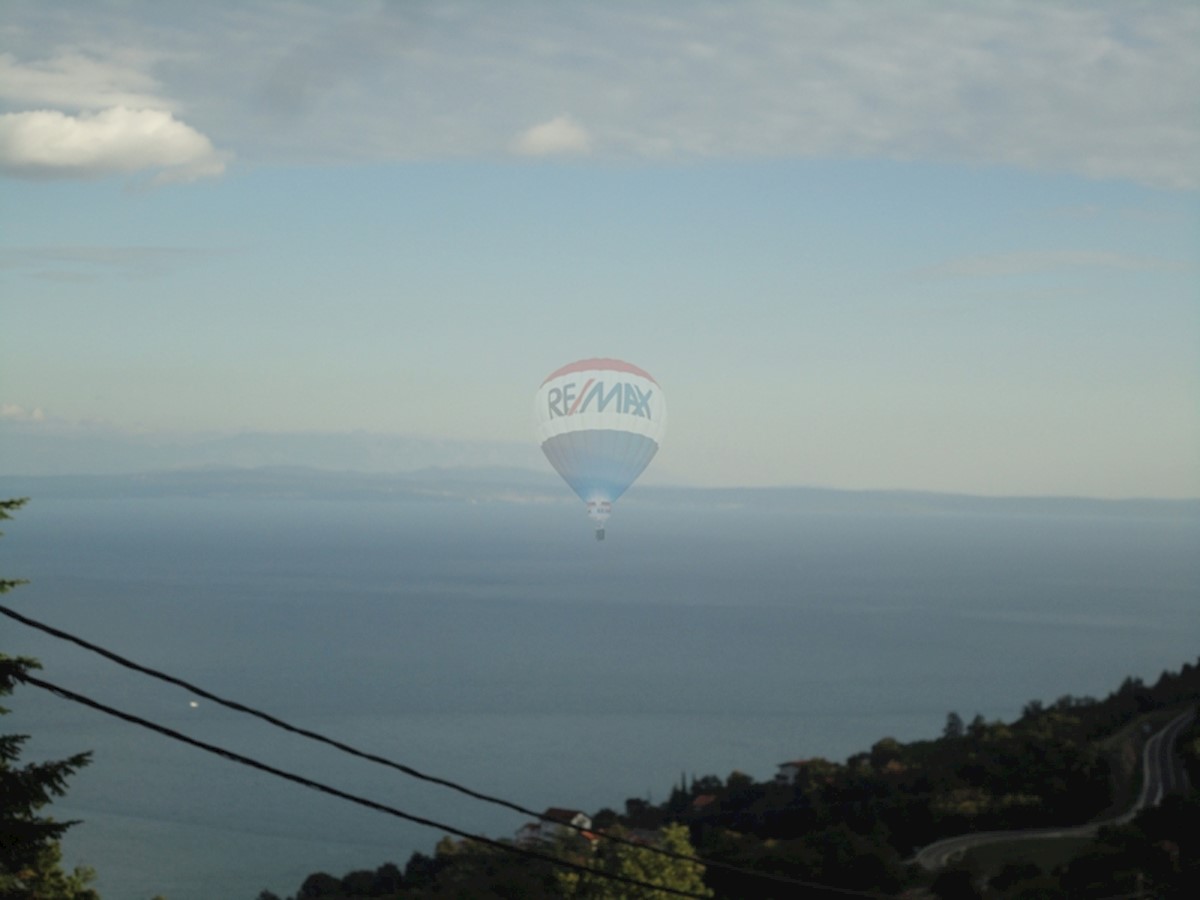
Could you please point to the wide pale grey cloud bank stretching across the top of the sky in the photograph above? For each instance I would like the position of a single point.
(1107, 89)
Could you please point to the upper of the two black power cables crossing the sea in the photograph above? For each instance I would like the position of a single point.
(415, 773)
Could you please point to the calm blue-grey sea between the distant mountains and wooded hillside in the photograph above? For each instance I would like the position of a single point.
(501, 647)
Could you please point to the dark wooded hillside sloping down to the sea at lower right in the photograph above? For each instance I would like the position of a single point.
(855, 826)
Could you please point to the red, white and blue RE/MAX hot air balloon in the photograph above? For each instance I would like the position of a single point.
(601, 423)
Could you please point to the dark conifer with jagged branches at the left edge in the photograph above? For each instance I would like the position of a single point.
(31, 857)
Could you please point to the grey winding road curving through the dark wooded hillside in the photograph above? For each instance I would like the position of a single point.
(1163, 775)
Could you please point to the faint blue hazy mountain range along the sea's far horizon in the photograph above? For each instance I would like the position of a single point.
(523, 485)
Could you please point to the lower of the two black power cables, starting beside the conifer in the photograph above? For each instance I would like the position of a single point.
(343, 795)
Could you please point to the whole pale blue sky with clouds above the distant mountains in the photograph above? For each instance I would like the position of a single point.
(861, 245)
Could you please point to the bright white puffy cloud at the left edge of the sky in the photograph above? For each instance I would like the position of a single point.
(52, 145)
